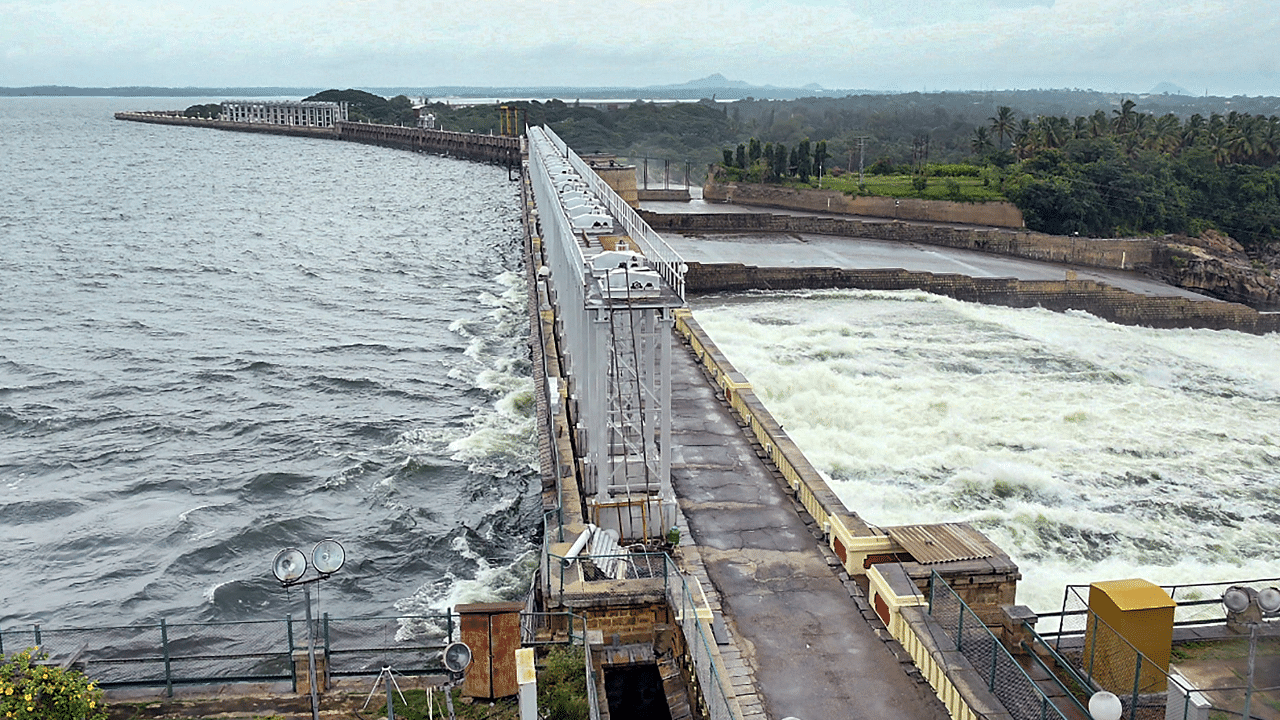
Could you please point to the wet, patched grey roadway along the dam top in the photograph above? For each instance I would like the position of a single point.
(801, 635)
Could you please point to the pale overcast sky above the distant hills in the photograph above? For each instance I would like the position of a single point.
(1222, 48)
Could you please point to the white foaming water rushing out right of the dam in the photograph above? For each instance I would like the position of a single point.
(1087, 450)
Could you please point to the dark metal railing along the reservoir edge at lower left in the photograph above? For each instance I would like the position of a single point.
(168, 654)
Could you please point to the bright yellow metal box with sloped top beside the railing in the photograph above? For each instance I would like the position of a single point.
(1127, 618)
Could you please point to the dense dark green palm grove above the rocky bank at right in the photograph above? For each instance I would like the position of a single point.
(1127, 172)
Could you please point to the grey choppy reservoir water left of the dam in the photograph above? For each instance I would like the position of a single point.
(218, 345)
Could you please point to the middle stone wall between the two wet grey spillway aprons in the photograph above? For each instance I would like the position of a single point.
(1116, 254)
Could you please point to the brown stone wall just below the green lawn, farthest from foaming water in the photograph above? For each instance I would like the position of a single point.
(998, 215)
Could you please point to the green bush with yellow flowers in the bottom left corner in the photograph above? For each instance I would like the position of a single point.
(30, 691)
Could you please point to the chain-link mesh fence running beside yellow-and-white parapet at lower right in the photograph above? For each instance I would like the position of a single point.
(1004, 677)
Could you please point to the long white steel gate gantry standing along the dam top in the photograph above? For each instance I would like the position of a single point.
(615, 285)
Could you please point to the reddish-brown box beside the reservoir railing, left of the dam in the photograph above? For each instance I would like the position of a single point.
(492, 631)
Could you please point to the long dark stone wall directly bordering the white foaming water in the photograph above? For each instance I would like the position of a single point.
(1098, 299)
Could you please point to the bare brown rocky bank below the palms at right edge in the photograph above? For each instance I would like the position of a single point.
(1219, 267)
